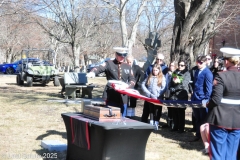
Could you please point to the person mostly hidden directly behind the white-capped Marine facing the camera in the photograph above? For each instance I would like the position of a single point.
(138, 75)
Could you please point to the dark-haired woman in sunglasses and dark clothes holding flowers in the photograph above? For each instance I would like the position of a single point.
(179, 91)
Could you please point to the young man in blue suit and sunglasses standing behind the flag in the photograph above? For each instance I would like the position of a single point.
(203, 83)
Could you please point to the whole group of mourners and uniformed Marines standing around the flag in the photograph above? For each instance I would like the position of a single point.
(176, 82)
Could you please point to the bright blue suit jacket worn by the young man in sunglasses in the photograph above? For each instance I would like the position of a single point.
(203, 84)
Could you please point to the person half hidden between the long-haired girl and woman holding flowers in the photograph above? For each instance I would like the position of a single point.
(172, 68)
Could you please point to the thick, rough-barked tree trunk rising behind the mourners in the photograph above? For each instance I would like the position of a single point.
(193, 28)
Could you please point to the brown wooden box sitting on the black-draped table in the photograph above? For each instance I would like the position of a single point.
(101, 113)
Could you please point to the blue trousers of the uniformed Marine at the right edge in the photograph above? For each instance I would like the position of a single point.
(223, 143)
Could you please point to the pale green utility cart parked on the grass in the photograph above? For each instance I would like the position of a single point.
(36, 70)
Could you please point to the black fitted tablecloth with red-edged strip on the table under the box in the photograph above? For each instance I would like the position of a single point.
(88, 139)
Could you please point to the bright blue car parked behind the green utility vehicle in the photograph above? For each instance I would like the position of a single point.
(11, 68)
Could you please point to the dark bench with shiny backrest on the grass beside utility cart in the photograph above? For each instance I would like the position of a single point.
(76, 82)
